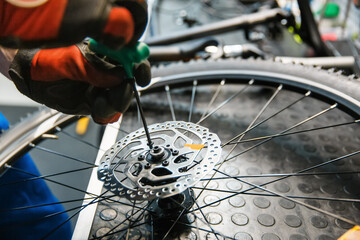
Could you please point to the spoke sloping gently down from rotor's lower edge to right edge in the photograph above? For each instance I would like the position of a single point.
(290, 196)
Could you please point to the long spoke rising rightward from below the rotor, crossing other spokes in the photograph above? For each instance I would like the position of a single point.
(282, 178)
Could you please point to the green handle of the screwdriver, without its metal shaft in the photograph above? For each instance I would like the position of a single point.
(126, 56)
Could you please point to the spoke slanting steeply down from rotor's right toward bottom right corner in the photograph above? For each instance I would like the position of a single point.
(298, 202)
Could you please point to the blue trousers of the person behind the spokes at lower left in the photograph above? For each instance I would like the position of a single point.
(32, 222)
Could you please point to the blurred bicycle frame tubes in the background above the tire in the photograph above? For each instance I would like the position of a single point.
(309, 32)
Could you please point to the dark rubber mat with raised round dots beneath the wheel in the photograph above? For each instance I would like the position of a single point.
(257, 213)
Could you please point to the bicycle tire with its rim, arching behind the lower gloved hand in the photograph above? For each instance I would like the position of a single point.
(328, 86)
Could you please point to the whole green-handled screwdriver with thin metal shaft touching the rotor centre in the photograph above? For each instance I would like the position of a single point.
(127, 57)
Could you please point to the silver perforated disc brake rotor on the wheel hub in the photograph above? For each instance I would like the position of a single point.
(183, 153)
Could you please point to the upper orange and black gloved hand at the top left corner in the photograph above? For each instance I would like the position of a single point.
(54, 23)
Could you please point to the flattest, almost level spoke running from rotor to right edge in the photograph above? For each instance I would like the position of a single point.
(281, 175)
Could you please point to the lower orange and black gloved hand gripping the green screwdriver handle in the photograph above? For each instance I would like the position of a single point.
(74, 80)
